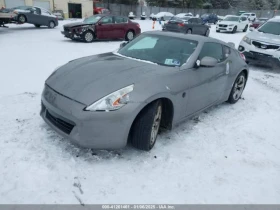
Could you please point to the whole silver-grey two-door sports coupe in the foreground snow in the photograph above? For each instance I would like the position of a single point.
(155, 81)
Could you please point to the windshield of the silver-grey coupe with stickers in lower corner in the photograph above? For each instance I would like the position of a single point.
(159, 49)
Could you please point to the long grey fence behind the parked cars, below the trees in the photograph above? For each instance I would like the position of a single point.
(122, 9)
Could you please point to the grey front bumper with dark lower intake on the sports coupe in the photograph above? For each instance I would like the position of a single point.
(97, 130)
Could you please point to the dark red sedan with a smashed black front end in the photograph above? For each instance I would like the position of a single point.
(102, 27)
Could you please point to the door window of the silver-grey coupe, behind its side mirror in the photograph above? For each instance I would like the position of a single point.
(213, 50)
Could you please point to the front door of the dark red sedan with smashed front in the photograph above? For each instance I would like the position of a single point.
(104, 28)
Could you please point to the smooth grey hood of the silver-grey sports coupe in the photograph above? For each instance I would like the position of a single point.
(90, 78)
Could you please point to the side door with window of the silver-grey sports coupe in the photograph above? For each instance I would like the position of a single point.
(207, 83)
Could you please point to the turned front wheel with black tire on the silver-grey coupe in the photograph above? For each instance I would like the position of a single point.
(146, 126)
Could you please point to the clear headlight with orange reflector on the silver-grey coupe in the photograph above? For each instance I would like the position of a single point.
(113, 101)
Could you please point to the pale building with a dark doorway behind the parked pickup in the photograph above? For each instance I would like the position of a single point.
(70, 8)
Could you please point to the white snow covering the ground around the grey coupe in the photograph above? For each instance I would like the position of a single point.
(231, 155)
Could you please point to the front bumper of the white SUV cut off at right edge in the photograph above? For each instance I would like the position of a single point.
(256, 55)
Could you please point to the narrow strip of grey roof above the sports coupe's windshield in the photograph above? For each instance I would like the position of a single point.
(192, 37)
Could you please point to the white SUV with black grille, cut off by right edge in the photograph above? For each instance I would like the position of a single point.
(262, 45)
